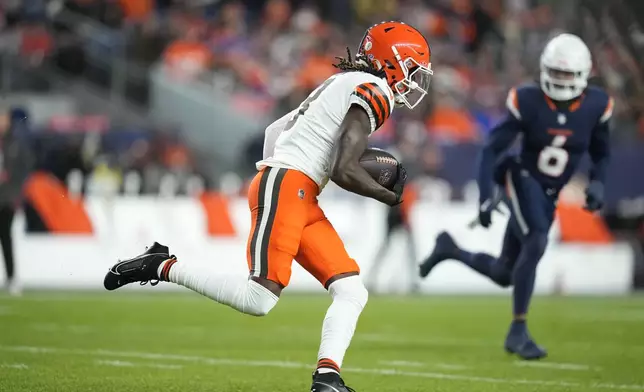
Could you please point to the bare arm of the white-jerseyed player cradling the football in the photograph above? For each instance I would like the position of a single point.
(346, 170)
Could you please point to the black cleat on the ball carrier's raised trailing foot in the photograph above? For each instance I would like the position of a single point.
(142, 268)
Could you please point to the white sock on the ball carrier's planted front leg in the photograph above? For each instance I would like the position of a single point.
(349, 298)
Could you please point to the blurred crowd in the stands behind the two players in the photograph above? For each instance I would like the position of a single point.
(269, 54)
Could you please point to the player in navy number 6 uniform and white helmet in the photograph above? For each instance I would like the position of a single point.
(559, 122)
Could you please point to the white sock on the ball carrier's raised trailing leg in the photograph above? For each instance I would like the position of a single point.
(238, 292)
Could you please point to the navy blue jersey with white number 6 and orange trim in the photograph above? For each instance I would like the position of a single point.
(554, 140)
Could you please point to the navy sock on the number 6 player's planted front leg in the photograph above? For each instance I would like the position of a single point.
(525, 271)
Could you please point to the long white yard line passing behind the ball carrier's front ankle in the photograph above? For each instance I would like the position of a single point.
(300, 365)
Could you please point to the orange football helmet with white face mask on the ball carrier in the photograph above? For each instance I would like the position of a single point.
(403, 55)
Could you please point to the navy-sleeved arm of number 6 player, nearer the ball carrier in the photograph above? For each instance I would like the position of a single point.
(498, 142)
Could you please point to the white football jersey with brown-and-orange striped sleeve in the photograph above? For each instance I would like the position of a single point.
(303, 139)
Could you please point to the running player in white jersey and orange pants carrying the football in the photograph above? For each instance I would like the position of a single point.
(323, 139)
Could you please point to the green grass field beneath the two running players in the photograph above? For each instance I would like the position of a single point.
(181, 342)
